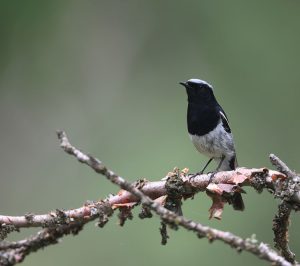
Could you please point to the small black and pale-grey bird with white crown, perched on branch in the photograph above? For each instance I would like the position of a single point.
(208, 125)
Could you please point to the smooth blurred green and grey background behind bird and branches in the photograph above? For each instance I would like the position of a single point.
(107, 72)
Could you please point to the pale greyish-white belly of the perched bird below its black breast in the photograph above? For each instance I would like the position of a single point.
(215, 144)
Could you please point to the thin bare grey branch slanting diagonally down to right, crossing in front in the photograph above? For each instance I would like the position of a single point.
(261, 250)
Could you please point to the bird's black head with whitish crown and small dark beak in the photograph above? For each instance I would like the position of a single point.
(198, 90)
